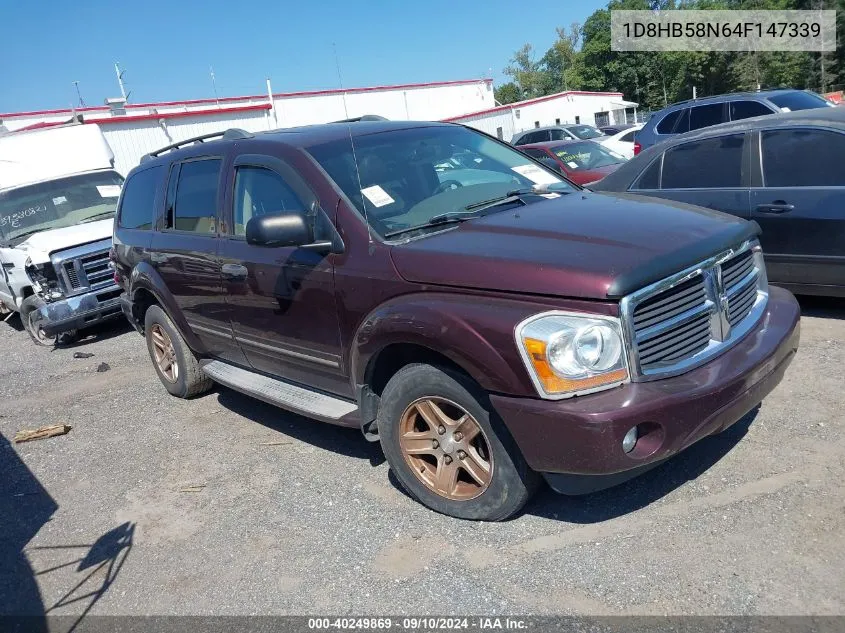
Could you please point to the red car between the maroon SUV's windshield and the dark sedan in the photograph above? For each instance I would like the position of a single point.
(583, 162)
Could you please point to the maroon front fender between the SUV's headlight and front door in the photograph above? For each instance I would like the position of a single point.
(475, 332)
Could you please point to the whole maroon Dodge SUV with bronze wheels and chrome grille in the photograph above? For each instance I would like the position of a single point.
(482, 333)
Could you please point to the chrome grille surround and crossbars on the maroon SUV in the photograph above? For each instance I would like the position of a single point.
(706, 268)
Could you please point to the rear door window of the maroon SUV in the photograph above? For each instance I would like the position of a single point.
(196, 196)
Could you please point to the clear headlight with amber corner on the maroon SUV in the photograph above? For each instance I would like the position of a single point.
(567, 354)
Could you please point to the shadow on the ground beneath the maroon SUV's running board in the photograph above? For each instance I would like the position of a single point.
(338, 439)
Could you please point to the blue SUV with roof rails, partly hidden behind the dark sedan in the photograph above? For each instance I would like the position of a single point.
(694, 114)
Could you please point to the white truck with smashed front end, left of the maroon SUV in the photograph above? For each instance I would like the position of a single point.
(58, 194)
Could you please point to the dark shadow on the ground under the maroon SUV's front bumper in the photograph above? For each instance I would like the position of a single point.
(645, 489)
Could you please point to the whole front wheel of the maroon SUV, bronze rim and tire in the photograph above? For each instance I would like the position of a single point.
(448, 448)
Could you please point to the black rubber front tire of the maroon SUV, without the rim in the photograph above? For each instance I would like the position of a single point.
(512, 482)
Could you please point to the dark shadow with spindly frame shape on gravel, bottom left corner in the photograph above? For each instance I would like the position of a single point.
(25, 506)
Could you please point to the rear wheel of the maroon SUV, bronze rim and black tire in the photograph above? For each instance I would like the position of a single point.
(176, 365)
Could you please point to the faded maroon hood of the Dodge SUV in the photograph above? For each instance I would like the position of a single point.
(587, 245)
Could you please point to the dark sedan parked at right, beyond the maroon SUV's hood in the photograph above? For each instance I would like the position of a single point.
(784, 171)
